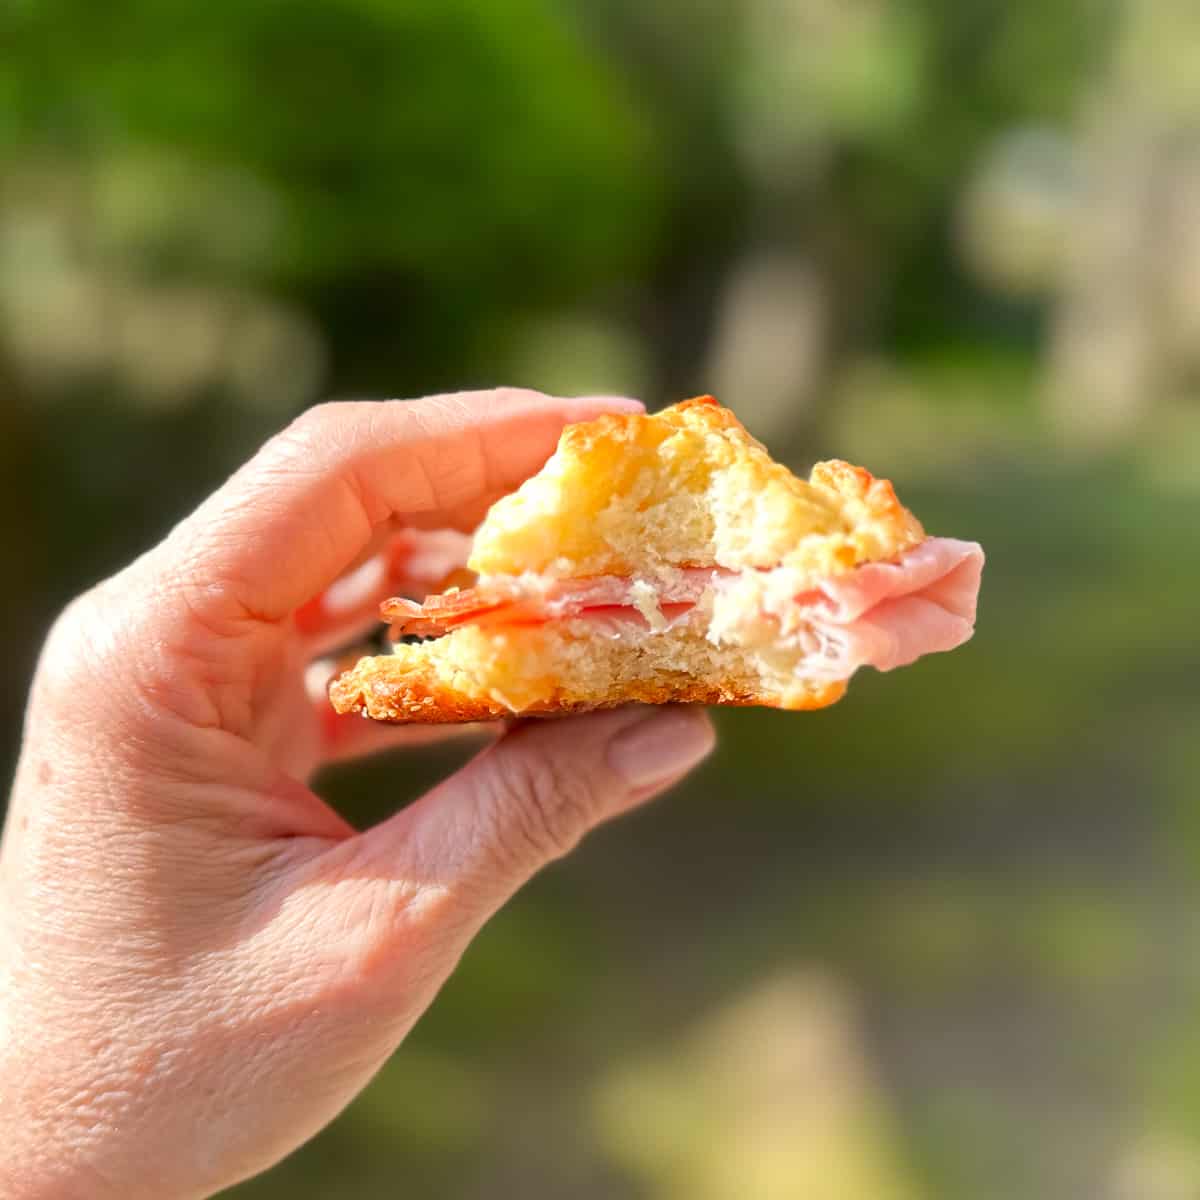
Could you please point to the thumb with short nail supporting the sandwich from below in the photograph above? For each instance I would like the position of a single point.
(529, 799)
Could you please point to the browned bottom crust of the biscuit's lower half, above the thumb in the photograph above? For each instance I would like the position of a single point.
(387, 689)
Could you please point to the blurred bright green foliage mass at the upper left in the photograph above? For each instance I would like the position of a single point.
(453, 141)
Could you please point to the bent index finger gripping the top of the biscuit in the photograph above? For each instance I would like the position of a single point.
(301, 512)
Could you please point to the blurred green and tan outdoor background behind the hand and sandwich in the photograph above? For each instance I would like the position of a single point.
(938, 943)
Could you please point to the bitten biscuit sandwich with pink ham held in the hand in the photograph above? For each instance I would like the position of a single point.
(668, 559)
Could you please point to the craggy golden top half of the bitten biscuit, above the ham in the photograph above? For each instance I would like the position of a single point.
(687, 487)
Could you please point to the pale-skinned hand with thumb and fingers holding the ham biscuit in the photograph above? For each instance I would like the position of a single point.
(202, 963)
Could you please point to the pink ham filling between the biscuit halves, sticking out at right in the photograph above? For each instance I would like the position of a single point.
(883, 615)
